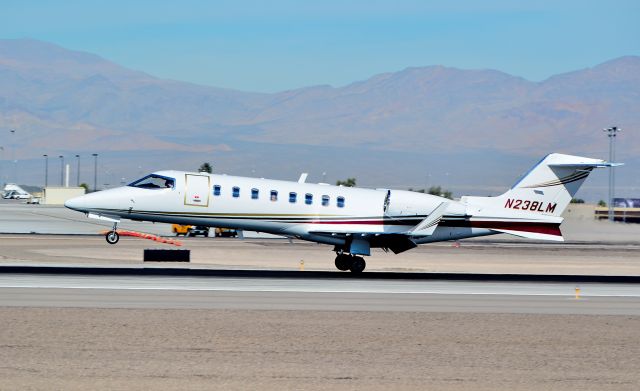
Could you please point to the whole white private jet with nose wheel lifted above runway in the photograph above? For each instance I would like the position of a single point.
(352, 220)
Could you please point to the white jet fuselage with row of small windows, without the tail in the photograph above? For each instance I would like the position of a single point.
(320, 212)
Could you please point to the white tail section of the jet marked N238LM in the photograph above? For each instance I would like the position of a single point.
(533, 206)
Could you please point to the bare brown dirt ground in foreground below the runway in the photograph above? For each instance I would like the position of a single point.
(79, 349)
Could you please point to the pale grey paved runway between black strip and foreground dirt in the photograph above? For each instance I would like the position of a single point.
(166, 292)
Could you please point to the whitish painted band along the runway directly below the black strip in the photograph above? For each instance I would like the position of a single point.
(319, 285)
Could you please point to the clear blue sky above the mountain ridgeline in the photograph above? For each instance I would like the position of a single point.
(278, 45)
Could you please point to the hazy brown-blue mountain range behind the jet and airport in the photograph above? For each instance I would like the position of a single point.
(413, 127)
